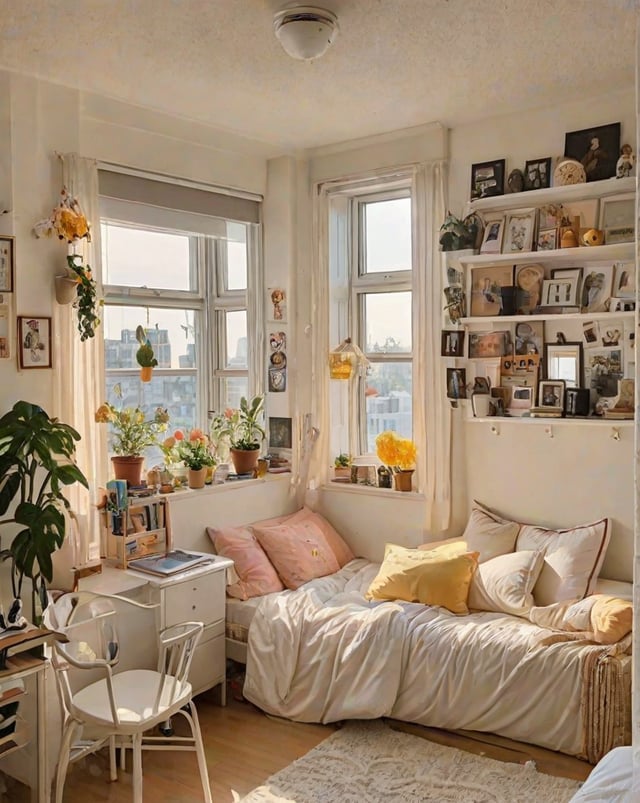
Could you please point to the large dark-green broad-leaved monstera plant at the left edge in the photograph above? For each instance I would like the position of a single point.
(36, 465)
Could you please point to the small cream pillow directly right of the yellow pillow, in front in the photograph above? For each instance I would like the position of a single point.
(505, 584)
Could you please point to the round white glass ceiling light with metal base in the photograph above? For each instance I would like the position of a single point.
(305, 32)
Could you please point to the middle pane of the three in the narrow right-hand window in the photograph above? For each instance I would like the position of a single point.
(387, 322)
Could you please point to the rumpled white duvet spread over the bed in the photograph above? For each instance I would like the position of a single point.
(323, 653)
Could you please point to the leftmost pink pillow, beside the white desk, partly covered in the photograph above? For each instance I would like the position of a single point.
(257, 575)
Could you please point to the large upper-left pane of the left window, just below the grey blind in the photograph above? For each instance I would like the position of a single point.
(143, 258)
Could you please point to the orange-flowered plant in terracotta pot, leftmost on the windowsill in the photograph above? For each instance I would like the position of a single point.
(132, 433)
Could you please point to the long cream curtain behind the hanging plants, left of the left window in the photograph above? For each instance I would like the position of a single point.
(78, 387)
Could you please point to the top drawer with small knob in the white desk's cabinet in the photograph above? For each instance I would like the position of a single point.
(197, 600)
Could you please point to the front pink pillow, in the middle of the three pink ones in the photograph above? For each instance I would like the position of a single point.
(298, 551)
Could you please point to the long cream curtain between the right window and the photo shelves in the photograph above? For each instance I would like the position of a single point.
(431, 409)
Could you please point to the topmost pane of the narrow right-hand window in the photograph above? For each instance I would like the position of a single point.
(387, 235)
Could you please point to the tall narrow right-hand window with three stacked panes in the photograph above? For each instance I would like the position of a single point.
(372, 263)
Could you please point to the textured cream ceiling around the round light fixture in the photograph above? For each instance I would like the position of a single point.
(395, 63)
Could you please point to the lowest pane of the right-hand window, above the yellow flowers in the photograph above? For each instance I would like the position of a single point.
(388, 400)
